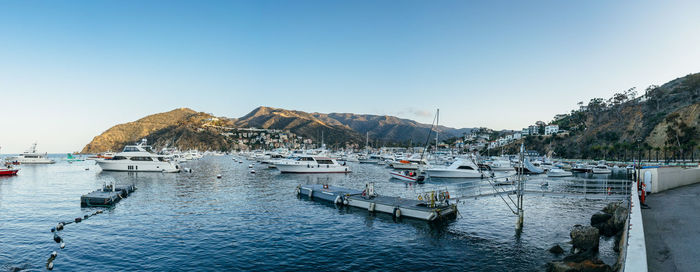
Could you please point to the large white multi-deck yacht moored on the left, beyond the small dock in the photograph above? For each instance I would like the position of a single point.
(137, 158)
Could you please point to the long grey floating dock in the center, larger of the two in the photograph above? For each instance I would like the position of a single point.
(396, 206)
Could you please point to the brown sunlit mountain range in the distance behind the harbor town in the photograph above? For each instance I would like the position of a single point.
(185, 129)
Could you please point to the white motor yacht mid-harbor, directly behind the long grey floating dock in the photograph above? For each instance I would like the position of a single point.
(311, 164)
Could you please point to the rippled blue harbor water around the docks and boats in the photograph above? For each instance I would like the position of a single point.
(243, 221)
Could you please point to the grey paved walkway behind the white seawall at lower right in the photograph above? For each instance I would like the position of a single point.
(672, 229)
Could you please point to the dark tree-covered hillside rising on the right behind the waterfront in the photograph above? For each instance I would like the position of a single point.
(662, 120)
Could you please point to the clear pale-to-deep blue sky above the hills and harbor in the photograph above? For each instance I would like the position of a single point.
(71, 69)
